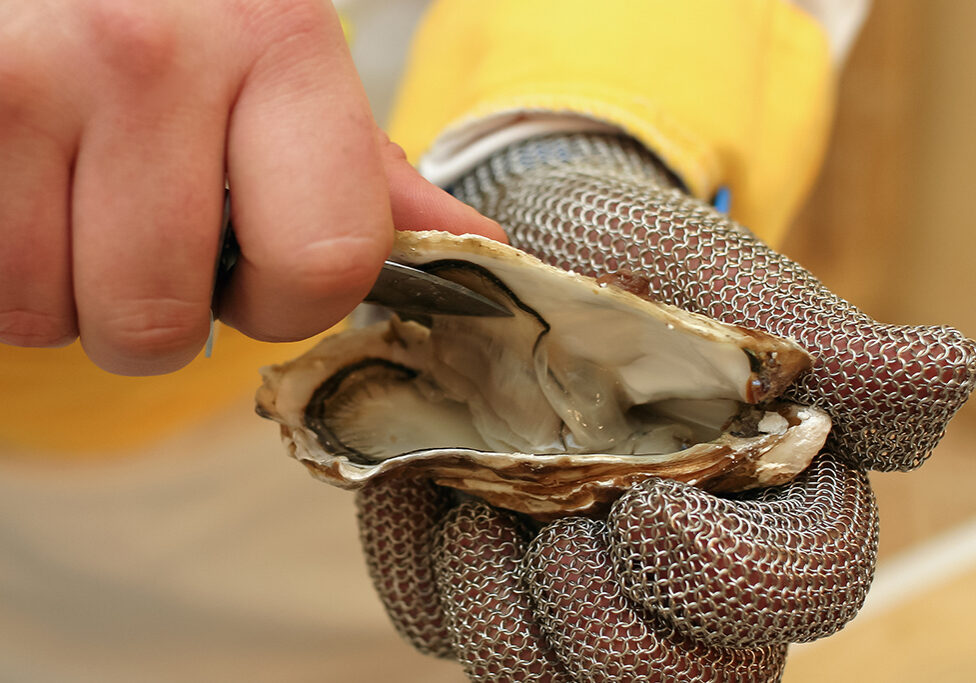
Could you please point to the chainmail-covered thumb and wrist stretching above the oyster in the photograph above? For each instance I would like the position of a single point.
(597, 205)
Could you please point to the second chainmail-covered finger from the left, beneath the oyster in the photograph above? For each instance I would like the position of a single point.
(477, 557)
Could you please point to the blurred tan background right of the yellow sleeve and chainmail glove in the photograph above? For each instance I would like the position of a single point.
(890, 228)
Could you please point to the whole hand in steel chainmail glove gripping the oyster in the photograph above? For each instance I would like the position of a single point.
(676, 584)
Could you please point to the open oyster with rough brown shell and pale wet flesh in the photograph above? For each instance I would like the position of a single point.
(585, 390)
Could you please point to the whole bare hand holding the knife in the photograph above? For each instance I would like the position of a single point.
(119, 122)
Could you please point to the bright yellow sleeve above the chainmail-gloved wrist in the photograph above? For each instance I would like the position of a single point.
(735, 93)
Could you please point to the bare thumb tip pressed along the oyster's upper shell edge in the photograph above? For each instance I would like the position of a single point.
(417, 204)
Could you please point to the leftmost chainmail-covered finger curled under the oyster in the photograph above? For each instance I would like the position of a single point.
(397, 518)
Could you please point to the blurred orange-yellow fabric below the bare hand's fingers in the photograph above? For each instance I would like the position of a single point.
(56, 402)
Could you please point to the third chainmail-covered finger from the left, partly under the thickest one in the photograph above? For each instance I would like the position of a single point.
(600, 635)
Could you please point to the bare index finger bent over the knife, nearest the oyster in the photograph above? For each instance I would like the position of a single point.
(310, 201)
